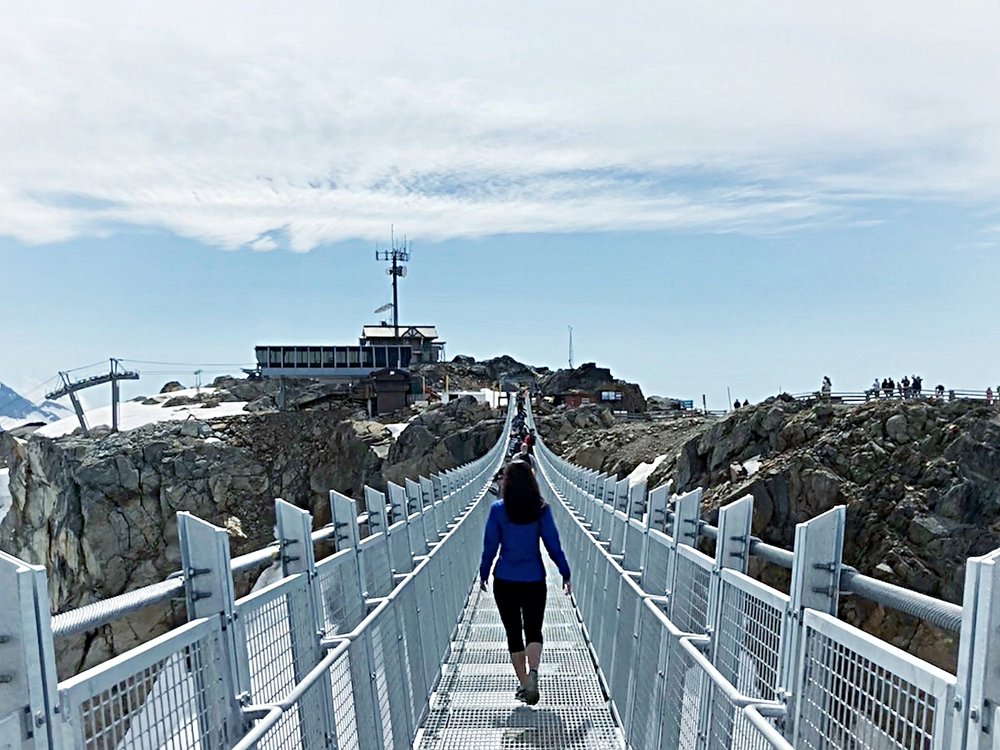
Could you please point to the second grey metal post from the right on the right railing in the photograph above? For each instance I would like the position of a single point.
(818, 554)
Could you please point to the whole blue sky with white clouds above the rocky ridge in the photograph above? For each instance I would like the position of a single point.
(728, 199)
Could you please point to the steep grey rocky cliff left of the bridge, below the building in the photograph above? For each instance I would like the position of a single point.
(99, 512)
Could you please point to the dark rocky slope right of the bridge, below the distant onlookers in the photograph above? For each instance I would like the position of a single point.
(920, 479)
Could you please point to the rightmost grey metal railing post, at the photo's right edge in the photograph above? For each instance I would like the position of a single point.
(976, 708)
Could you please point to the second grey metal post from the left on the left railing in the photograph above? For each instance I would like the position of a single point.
(209, 592)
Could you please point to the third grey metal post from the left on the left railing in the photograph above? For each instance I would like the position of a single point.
(294, 526)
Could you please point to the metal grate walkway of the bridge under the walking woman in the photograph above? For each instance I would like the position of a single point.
(474, 705)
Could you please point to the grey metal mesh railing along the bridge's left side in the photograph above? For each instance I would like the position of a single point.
(340, 653)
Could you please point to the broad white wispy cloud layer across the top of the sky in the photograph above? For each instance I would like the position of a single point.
(256, 125)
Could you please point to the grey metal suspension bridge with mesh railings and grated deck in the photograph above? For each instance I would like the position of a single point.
(667, 642)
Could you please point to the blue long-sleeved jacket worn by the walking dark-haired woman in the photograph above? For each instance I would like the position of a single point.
(520, 557)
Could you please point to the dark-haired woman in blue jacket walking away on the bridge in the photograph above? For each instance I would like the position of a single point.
(515, 525)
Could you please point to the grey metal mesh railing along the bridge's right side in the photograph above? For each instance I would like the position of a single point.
(707, 658)
